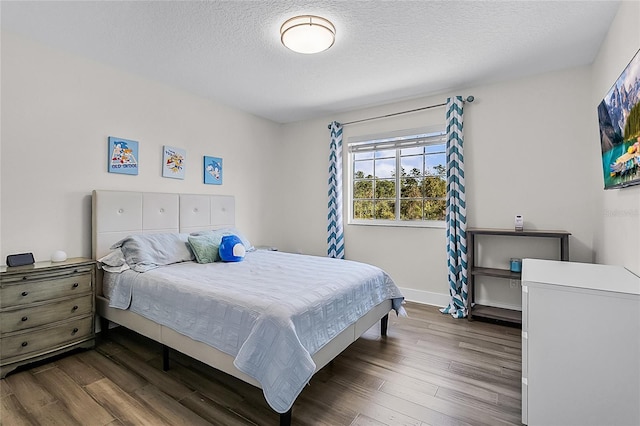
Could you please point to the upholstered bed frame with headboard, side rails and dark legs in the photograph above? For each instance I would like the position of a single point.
(117, 214)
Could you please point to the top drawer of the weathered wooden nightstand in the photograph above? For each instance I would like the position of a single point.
(30, 290)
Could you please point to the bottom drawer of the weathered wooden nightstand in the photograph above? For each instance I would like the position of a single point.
(46, 339)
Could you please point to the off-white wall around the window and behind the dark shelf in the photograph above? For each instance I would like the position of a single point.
(526, 152)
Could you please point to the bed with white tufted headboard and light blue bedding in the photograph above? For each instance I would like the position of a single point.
(271, 320)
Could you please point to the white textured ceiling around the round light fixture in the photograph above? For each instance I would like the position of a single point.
(230, 51)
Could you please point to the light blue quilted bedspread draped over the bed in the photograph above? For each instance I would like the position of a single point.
(271, 312)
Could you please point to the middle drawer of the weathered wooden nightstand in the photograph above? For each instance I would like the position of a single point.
(45, 313)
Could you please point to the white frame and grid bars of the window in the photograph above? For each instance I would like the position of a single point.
(405, 139)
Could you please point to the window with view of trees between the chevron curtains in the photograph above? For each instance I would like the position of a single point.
(399, 180)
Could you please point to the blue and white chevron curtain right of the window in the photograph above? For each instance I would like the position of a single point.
(456, 213)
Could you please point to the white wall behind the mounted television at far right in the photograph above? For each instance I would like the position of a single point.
(617, 240)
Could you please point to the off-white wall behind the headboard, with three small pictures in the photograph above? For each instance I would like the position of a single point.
(57, 113)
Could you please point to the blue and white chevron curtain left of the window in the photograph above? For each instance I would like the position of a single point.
(335, 232)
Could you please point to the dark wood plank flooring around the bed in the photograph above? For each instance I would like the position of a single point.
(430, 370)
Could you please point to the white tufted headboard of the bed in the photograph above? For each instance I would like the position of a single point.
(116, 214)
